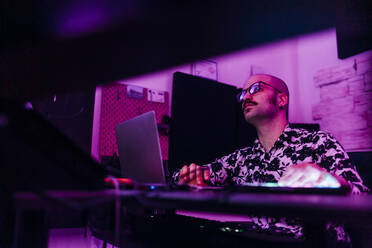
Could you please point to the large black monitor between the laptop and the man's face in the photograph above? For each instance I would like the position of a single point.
(206, 121)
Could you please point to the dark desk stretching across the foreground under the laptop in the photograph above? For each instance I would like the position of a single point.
(316, 209)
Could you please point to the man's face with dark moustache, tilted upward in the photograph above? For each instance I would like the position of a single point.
(262, 104)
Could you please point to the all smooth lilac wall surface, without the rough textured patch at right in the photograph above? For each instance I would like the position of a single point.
(295, 60)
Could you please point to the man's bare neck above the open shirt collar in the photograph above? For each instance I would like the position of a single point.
(269, 131)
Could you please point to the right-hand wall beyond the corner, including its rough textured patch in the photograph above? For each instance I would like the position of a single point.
(336, 93)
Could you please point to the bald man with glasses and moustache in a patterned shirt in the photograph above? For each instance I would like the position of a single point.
(281, 154)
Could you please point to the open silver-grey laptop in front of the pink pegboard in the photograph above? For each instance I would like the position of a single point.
(139, 150)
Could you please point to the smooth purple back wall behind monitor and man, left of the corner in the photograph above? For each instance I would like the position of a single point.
(278, 58)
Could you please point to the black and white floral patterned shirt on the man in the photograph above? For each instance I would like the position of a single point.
(254, 164)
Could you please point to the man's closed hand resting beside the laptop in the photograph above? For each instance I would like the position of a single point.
(195, 175)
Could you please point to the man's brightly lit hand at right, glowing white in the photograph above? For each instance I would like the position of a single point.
(310, 175)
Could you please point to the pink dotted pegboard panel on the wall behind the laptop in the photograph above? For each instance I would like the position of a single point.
(117, 107)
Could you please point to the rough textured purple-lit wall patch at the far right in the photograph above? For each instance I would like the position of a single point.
(345, 107)
